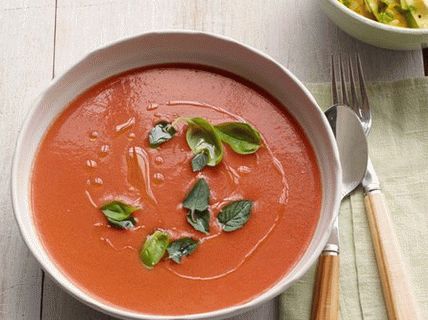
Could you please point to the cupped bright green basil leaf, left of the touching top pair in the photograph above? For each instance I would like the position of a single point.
(202, 137)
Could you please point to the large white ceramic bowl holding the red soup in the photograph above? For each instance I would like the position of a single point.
(175, 47)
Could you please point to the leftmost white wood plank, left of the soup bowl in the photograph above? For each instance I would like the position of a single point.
(26, 40)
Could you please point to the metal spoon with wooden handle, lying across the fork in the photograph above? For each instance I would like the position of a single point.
(353, 154)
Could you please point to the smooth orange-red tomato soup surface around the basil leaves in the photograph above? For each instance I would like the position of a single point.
(98, 151)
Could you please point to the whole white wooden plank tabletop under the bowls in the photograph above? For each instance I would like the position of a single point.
(40, 39)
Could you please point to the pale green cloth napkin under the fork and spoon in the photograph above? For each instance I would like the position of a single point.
(398, 147)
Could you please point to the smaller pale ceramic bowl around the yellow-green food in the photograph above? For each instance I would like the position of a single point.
(373, 32)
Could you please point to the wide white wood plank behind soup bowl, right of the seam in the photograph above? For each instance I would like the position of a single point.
(292, 31)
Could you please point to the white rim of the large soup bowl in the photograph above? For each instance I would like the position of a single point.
(94, 301)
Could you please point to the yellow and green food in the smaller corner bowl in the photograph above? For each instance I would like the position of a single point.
(400, 13)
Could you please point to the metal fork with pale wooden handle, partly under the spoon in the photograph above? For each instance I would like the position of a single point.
(399, 300)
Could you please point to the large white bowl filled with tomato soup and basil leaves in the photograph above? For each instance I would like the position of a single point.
(176, 189)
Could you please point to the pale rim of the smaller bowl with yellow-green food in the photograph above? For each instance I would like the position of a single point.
(377, 24)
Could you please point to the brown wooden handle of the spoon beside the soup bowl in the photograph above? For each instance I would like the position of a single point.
(325, 303)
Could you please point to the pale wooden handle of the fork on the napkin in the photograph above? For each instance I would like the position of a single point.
(399, 300)
